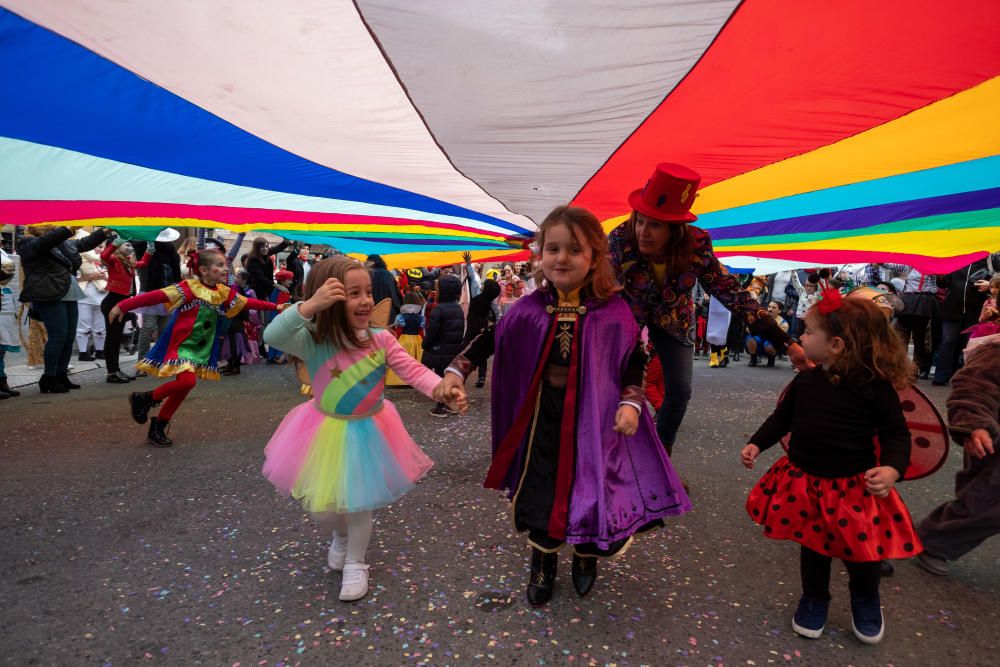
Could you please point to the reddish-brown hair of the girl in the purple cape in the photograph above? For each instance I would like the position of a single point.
(585, 227)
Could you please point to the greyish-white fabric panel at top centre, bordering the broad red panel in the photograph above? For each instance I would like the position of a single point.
(530, 98)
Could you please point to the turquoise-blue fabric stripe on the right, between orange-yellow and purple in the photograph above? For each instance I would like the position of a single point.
(981, 174)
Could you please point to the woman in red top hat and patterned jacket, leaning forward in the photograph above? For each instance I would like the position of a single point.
(658, 257)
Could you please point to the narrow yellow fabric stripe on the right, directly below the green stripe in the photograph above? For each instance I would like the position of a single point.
(937, 243)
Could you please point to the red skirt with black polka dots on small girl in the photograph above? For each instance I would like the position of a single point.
(832, 516)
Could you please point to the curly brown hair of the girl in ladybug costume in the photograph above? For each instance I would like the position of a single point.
(872, 348)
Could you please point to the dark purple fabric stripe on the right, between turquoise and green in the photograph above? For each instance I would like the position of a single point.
(860, 218)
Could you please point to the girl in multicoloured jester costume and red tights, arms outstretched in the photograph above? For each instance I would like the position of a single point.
(189, 346)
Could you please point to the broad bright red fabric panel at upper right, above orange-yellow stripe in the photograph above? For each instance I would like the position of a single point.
(785, 78)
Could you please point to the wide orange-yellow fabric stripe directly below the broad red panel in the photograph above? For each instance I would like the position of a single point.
(958, 128)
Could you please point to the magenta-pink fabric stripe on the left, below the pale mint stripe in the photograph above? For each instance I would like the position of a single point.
(27, 212)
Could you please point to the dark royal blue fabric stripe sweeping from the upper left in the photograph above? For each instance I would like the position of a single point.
(60, 94)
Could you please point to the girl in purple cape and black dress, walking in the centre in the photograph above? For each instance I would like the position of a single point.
(573, 445)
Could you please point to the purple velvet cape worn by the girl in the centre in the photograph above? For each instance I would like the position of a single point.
(620, 483)
